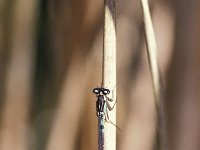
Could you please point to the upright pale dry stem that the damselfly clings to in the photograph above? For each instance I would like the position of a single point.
(109, 69)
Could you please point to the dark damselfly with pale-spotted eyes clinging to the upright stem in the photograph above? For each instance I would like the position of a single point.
(102, 107)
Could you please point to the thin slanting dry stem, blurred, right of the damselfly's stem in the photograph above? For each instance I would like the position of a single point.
(154, 68)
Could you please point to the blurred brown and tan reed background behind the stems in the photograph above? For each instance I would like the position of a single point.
(50, 60)
